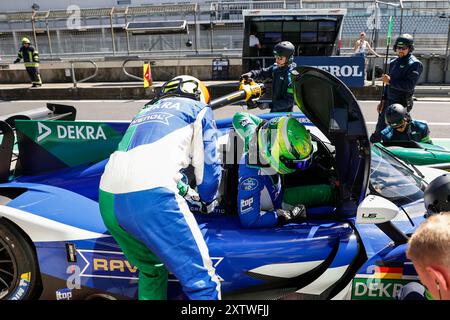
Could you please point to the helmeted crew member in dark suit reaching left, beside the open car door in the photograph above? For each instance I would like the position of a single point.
(280, 73)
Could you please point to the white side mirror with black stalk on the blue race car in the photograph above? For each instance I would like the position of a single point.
(380, 211)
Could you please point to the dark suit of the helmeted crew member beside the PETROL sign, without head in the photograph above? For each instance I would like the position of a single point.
(282, 91)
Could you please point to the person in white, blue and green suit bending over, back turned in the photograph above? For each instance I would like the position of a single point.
(139, 194)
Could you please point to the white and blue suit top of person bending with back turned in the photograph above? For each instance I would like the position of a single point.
(163, 139)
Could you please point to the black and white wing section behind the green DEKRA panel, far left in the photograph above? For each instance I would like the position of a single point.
(8, 159)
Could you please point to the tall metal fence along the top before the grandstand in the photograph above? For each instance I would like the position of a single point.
(213, 29)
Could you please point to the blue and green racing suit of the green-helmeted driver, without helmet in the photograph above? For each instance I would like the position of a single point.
(260, 191)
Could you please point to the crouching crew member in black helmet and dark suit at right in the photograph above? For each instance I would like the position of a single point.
(402, 128)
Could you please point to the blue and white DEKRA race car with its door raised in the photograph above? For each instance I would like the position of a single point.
(54, 245)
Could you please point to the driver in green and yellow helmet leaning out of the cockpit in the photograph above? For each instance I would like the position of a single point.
(273, 148)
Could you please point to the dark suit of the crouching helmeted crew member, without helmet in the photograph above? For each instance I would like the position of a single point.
(415, 131)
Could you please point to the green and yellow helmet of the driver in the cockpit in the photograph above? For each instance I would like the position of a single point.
(285, 144)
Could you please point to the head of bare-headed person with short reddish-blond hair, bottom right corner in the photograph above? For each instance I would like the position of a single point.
(429, 250)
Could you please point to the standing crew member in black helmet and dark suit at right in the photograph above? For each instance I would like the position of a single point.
(404, 72)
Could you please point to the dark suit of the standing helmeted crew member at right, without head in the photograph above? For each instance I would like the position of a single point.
(404, 73)
